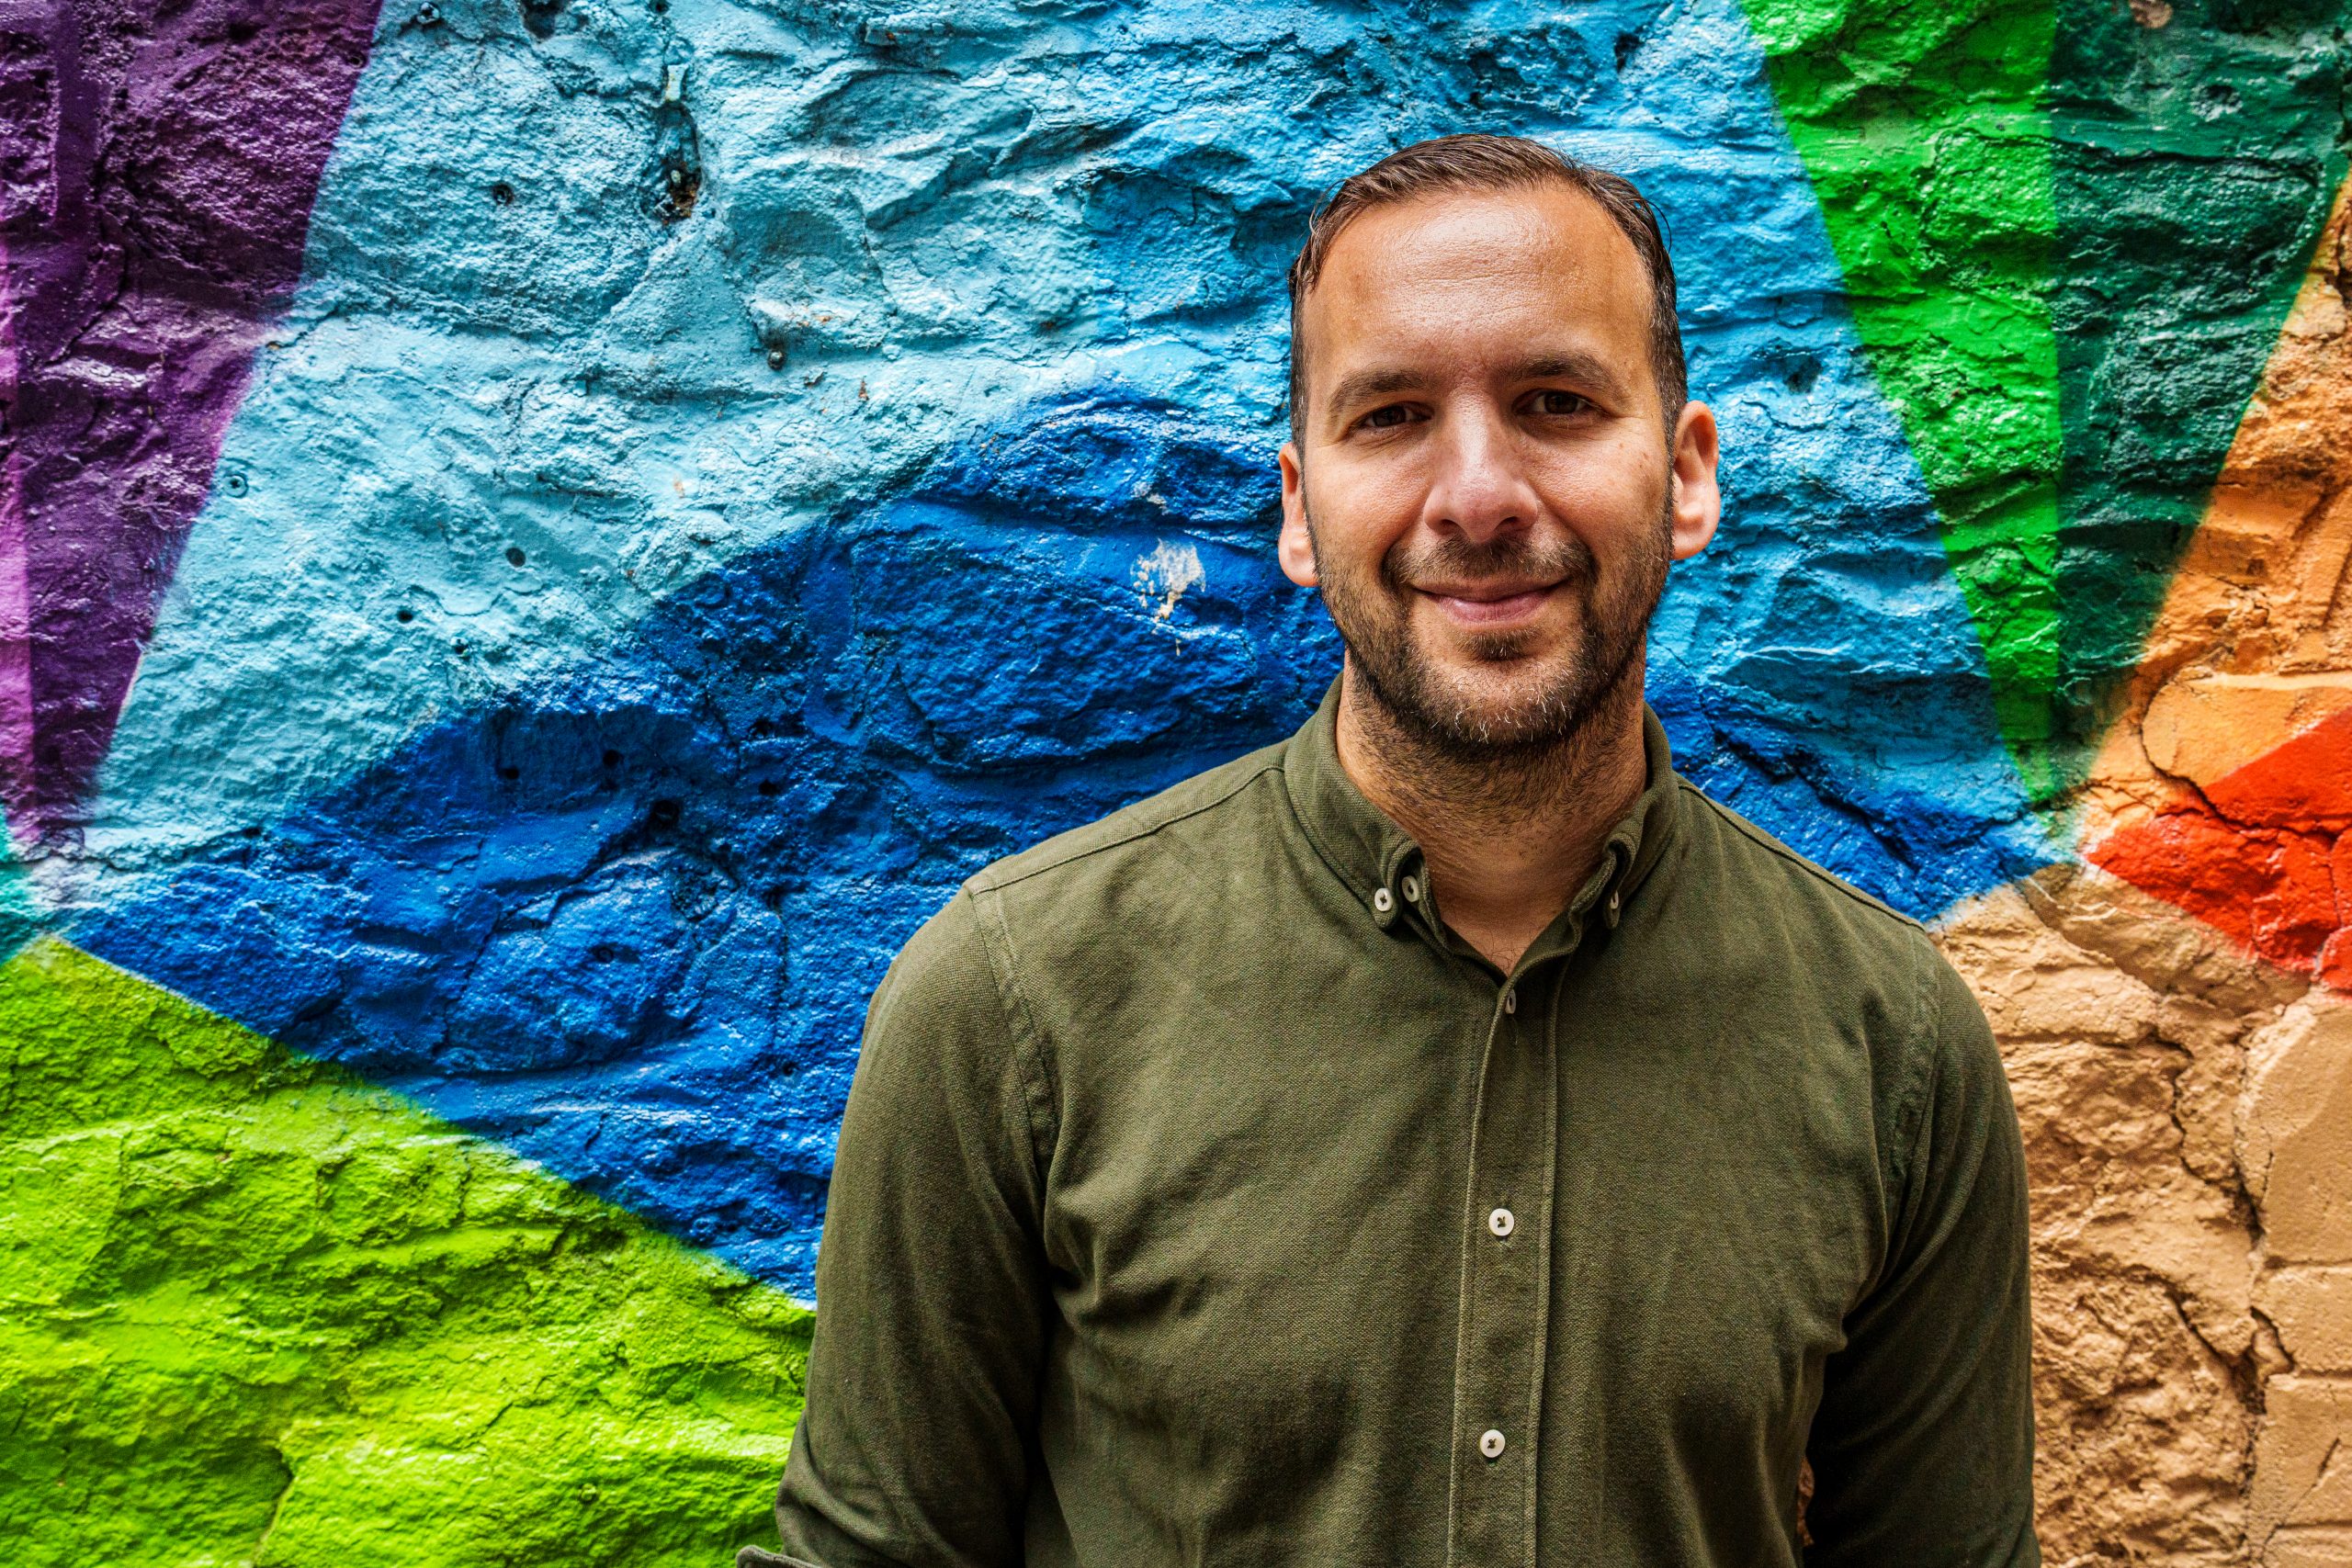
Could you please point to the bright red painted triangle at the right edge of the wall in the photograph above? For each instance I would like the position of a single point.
(2264, 855)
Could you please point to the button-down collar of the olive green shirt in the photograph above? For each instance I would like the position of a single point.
(1382, 864)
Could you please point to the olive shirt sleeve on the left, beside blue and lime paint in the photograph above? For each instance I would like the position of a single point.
(918, 1435)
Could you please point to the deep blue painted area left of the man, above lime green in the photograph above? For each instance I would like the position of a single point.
(627, 920)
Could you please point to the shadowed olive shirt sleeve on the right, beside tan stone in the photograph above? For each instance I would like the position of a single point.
(1923, 1447)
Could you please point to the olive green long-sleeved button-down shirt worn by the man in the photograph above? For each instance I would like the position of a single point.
(1203, 1200)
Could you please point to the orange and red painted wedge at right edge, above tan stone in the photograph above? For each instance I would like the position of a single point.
(2229, 782)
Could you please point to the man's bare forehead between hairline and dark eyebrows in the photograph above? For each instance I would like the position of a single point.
(1452, 276)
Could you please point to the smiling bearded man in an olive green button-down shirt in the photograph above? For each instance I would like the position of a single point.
(1443, 1137)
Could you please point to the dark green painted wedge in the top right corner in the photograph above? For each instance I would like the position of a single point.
(2196, 166)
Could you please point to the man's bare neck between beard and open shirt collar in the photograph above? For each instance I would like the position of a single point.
(1506, 838)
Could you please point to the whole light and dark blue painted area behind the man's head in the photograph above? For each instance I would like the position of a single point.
(603, 852)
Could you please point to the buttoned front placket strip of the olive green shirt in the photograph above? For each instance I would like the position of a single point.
(1506, 1285)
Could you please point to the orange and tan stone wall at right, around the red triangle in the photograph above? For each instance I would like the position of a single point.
(2186, 1106)
